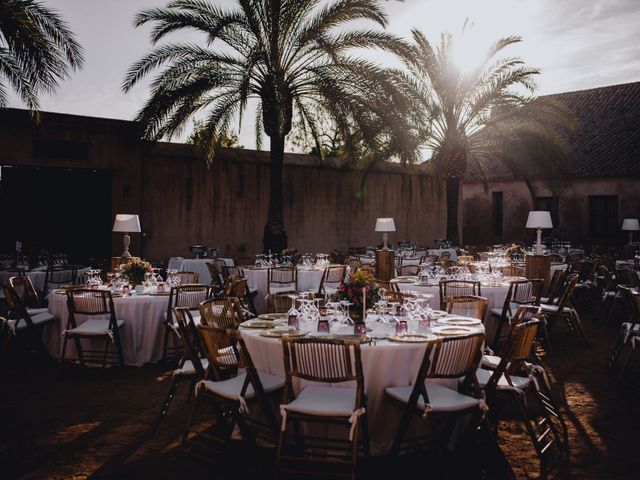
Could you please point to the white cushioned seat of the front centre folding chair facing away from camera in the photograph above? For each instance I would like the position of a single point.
(324, 401)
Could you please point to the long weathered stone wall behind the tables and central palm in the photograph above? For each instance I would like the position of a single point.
(181, 202)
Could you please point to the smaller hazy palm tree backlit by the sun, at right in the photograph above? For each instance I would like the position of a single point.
(486, 115)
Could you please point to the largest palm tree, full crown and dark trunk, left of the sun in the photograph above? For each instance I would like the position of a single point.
(292, 56)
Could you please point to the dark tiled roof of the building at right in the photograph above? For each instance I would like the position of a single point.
(606, 141)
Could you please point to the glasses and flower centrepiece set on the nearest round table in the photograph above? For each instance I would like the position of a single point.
(326, 316)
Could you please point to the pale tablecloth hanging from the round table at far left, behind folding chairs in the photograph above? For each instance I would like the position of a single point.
(141, 335)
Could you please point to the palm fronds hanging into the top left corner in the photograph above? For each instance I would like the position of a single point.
(37, 50)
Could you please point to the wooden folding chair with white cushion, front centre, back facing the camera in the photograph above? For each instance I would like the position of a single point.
(324, 361)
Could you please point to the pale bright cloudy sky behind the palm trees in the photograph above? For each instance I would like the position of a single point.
(577, 44)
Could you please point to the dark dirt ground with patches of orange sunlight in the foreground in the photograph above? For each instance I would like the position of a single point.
(94, 423)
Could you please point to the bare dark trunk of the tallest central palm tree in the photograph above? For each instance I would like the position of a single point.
(275, 236)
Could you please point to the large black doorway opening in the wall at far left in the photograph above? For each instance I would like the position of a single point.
(56, 210)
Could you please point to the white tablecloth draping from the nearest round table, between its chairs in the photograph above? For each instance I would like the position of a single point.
(384, 364)
